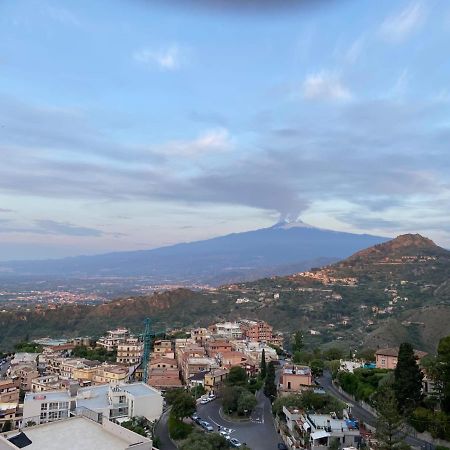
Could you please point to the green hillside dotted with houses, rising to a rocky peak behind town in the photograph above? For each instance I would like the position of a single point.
(389, 293)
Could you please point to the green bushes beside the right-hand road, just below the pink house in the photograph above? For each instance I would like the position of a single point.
(362, 383)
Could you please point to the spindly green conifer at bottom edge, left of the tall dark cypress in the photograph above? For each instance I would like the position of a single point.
(389, 430)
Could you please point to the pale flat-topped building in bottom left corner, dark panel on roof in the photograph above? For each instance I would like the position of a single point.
(75, 433)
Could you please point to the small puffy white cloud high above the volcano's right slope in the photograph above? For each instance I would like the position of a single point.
(325, 86)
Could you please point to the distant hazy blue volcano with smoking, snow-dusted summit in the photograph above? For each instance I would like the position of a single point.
(279, 250)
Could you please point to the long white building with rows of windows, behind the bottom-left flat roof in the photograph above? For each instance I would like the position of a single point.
(112, 401)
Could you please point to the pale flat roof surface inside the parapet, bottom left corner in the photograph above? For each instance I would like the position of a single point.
(77, 433)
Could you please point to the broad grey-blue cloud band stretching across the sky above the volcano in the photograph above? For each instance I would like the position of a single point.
(378, 155)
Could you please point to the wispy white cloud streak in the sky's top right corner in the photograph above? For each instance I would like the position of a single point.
(398, 27)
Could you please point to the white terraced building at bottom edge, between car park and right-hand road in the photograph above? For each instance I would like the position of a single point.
(317, 431)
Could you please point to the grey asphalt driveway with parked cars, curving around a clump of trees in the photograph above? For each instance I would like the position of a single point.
(258, 433)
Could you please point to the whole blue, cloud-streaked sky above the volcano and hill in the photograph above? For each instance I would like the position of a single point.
(132, 124)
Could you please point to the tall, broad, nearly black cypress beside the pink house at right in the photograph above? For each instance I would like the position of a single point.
(407, 380)
